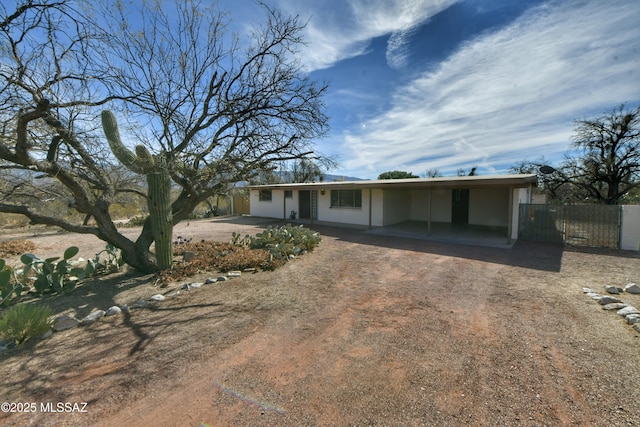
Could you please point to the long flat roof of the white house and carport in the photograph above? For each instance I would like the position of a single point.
(515, 180)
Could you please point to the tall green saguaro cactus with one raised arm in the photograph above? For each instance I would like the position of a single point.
(159, 187)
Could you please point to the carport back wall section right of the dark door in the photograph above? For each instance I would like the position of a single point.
(489, 207)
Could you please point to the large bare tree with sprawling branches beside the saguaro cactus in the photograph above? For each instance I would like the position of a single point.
(217, 108)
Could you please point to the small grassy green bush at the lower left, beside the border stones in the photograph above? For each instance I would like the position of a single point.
(24, 321)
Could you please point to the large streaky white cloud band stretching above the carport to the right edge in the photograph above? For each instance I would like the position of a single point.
(508, 95)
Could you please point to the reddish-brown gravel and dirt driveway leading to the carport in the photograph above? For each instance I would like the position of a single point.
(366, 330)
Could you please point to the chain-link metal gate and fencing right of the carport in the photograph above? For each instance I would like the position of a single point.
(579, 225)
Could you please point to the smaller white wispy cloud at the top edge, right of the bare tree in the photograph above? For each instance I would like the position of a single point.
(344, 30)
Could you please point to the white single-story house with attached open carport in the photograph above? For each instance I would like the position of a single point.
(490, 202)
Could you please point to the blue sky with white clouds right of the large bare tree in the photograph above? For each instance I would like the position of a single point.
(445, 84)
